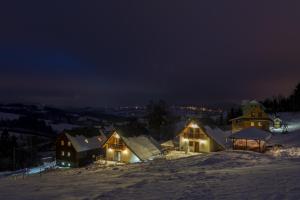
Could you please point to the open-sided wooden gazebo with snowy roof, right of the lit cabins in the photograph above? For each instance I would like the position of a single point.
(252, 139)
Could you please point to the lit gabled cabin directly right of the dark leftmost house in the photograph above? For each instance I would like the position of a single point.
(121, 148)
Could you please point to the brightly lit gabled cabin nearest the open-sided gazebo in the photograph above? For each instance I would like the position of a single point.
(195, 138)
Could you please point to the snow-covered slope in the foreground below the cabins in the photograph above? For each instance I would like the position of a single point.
(224, 175)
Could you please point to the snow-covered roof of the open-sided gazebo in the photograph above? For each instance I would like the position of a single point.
(252, 133)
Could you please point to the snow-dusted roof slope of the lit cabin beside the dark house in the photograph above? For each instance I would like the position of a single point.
(142, 146)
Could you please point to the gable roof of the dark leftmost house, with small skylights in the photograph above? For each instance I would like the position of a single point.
(85, 139)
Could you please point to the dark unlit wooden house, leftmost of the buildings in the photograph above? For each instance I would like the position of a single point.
(78, 147)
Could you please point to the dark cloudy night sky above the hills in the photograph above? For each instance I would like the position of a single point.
(108, 53)
